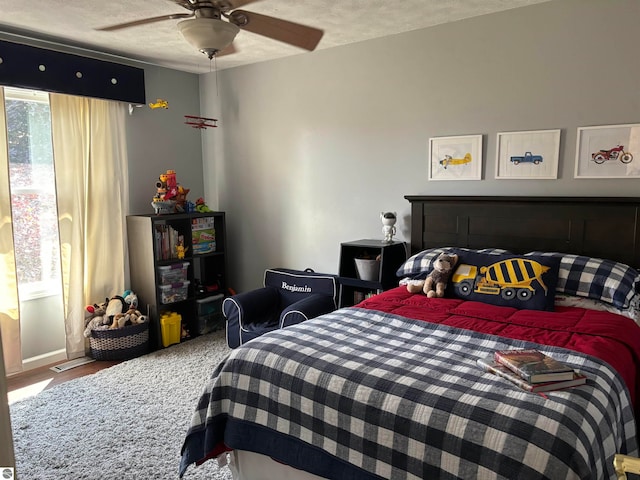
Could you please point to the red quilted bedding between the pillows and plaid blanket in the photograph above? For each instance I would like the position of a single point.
(612, 338)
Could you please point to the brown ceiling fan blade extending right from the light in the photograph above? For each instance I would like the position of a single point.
(278, 29)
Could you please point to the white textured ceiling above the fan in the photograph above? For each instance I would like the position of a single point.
(73, 23)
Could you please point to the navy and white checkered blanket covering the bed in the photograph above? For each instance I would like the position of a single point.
(359, 394)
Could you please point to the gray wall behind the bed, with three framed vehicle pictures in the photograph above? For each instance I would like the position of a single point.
(312, 148)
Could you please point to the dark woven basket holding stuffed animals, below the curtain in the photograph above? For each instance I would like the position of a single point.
(120, 343)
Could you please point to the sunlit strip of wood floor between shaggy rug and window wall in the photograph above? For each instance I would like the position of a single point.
(27, 383)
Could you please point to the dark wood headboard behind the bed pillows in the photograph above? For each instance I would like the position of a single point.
(592, 226)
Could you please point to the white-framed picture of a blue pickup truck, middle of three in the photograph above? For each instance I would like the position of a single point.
(528, 155)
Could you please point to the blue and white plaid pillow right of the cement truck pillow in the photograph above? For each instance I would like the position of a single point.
(604, 280)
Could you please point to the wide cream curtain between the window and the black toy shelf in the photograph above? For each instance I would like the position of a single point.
(90, 159)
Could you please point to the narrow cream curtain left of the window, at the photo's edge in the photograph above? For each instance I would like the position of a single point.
(9, 311)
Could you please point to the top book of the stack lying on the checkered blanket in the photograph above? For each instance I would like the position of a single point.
(534, 366)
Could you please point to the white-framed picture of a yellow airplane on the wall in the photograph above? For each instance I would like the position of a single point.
(455, 158)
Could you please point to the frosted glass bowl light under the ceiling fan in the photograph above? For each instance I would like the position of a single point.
(209, 35)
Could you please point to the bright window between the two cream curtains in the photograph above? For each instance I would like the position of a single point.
(33, 200)
